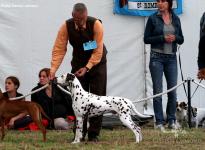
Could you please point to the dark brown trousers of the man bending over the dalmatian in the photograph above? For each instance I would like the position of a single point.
(94, 81)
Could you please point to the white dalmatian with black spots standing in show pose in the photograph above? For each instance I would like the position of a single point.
(88, 105)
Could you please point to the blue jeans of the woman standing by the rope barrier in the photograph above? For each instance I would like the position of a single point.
(167, 64)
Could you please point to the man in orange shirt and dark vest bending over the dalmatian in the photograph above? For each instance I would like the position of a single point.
(85, 35)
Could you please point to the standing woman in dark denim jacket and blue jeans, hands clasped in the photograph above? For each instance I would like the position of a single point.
(163, 32)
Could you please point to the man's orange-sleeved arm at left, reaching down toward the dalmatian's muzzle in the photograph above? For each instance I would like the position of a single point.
(59, 50)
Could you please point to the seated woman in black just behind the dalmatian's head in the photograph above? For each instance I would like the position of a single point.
(58, 107)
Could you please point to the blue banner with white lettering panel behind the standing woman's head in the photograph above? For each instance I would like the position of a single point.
(141, 7)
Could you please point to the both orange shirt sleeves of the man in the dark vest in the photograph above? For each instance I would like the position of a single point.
(60, 47)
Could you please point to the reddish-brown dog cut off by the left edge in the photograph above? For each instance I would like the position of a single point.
(9, 109)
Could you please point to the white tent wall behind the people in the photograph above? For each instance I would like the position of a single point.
(28, 30)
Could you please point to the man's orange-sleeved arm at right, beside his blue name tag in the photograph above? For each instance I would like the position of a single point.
(98, 52)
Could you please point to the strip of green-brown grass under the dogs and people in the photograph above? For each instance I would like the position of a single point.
(117, 139)
